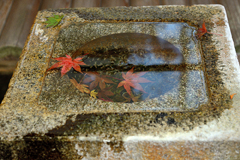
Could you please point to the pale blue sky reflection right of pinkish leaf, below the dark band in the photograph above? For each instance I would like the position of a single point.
(191, 91)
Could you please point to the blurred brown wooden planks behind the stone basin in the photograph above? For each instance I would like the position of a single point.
(17, 16)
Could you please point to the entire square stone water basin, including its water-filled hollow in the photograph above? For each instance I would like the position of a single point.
(149, 83)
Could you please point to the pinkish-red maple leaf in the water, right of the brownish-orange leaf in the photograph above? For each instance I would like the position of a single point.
(133, 80)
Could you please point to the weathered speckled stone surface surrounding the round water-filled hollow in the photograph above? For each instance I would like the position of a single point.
(44, 116)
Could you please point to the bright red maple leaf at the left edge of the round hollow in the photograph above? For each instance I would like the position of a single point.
(67, 63)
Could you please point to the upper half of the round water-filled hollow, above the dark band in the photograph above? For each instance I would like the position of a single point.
(130, 48)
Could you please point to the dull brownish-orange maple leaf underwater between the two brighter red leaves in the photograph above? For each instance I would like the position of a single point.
(96, 79)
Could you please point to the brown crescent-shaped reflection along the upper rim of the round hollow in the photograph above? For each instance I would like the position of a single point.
(131, 41)
